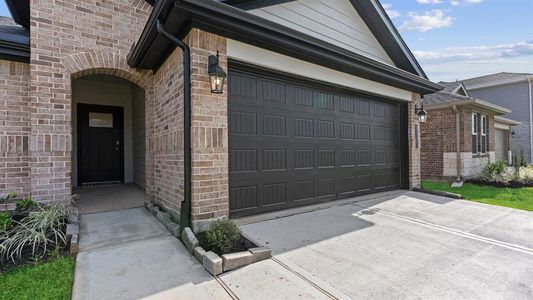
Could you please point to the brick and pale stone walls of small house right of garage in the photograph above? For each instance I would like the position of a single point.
(439, 152)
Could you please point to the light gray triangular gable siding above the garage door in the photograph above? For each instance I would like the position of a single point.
(334, 21)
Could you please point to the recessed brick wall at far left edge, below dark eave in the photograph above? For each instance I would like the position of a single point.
(14, 128)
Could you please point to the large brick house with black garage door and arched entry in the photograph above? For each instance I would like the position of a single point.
(319, 104)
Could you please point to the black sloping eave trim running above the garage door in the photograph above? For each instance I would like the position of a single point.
(177, 18)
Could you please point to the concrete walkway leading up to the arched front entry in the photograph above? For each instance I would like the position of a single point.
(128, 254)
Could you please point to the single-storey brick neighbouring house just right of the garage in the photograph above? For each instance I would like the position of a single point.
(462, 133)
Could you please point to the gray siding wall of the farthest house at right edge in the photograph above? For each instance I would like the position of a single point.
(514, 97)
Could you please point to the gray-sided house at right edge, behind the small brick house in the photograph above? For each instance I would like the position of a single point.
(514, 91)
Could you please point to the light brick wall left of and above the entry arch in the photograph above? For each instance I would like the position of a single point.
(72, 38)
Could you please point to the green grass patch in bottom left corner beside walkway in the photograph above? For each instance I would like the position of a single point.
(48, 280)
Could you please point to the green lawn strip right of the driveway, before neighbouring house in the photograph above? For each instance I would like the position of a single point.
(520, 198)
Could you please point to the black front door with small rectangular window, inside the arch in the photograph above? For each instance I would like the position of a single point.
(100, 144)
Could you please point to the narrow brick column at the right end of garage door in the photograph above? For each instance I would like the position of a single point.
(414, 152)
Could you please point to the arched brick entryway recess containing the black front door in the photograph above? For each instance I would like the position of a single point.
(108, 142)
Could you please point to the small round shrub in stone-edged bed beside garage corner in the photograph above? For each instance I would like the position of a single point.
(221, 237)
